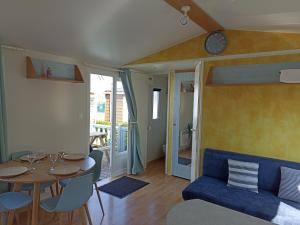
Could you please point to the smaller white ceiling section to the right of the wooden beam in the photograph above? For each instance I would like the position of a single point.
(263, 15)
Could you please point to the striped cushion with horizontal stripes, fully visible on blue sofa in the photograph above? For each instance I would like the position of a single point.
(243, 175)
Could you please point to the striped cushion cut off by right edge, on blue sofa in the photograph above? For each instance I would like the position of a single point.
(290, 184)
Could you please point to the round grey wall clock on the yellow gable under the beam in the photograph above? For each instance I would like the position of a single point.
(215, 43)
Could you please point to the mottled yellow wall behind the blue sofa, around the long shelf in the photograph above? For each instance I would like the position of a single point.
(258, 119)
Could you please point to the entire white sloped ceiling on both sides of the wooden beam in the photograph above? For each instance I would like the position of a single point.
(115, 32)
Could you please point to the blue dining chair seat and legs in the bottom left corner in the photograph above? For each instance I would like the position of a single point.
(11, 201)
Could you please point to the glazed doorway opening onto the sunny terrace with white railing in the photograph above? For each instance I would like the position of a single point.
(109, 123)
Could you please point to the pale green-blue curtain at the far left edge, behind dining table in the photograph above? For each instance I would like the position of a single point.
(3, 134)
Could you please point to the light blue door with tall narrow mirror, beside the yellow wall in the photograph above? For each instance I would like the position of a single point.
(182, 125)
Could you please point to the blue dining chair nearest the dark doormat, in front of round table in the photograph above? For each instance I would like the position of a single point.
(75, 196)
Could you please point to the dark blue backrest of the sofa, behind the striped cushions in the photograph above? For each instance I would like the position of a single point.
(215, 165)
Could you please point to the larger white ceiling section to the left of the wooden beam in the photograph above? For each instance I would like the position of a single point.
(108, 32)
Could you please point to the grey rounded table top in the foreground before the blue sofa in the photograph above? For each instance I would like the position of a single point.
(198, 212)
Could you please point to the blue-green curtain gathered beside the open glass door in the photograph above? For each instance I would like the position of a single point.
(134, 160)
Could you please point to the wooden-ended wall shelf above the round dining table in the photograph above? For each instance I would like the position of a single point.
(60, 72)
